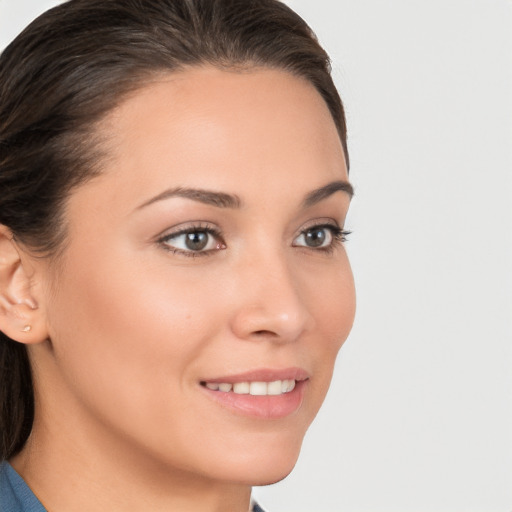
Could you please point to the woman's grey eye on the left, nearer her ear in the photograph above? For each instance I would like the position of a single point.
(193, 241)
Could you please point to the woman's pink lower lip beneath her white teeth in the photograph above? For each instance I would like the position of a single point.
(265, 407)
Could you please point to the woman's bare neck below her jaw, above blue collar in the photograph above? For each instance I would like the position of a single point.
(71, 474)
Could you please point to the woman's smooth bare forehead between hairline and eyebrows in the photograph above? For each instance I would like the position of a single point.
(223, 129)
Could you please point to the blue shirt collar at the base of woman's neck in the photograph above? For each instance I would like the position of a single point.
(16, 496)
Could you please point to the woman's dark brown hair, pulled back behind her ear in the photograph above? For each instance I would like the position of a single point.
(72, 66)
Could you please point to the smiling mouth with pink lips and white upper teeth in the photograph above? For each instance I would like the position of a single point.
(268, 394)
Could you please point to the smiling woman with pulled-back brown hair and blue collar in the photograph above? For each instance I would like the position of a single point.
(174, 286)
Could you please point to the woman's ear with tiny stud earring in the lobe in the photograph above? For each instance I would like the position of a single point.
(20, 315)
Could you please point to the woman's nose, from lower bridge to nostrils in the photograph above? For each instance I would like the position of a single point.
(270, 302)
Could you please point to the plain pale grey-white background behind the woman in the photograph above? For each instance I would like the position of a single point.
(419, 416)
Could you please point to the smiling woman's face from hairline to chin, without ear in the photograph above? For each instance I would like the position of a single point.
(203, 278)
